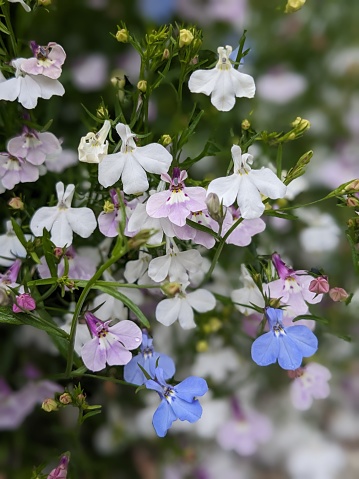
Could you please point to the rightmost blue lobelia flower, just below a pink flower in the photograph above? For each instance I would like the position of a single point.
(287, 345)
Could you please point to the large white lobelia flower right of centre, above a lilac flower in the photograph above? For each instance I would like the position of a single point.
(247, 185)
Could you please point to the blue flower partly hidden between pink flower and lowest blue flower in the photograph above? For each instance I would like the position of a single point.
(148, 359)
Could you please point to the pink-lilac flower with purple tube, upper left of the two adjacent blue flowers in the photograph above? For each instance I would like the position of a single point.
(109, 344)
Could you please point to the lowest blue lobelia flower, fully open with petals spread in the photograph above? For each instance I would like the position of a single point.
(177, 402)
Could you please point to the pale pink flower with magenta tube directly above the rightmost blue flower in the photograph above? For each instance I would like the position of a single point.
(292, 288)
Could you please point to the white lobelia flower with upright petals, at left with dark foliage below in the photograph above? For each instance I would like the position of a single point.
(62, 220)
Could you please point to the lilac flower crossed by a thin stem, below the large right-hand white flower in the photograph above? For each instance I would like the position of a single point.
(242, 234)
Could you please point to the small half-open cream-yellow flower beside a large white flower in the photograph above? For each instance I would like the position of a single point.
(93, 147)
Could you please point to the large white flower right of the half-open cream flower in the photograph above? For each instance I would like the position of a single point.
(131, 163)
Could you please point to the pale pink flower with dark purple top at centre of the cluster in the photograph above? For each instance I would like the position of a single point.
(179, 201)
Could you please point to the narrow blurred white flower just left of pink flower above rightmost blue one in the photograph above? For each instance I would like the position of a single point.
(248, 295)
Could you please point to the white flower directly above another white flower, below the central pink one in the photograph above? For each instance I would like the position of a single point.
(175, 264)
